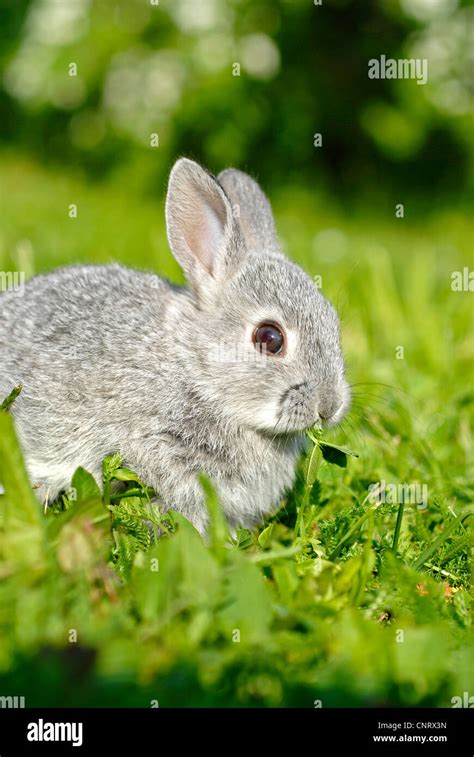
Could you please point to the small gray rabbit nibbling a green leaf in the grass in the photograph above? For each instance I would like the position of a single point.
(222, 377)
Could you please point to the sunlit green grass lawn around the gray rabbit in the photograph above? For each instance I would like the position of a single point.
(335, 599)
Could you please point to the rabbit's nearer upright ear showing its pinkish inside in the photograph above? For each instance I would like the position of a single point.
(203, 235)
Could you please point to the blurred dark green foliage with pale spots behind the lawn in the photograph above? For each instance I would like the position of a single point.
(168, 69)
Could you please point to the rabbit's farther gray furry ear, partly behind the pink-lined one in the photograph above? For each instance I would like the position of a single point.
(252, 208)
